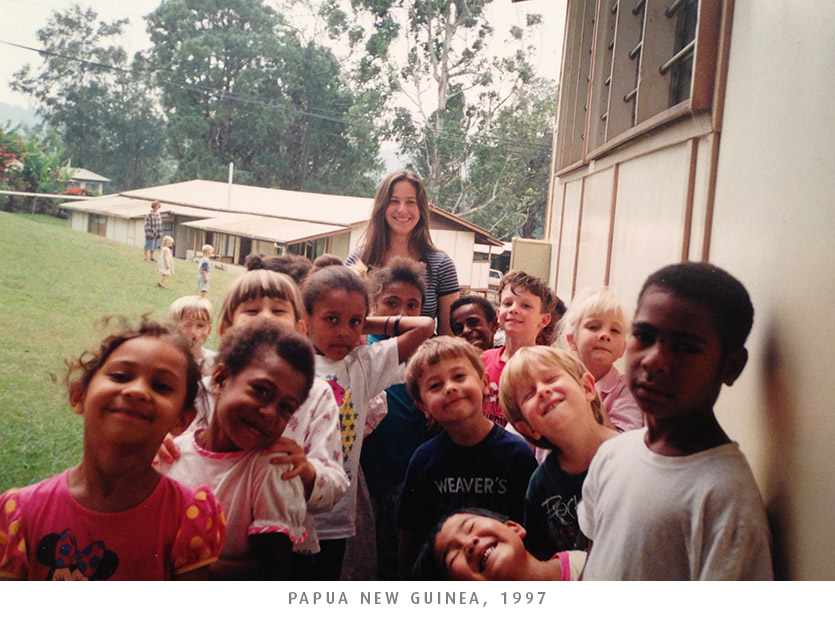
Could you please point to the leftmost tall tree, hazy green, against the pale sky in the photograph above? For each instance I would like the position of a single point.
(87, 92)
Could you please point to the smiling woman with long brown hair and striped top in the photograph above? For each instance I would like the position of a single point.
(399, 227)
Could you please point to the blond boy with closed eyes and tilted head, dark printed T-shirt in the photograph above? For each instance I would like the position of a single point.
(549, 397)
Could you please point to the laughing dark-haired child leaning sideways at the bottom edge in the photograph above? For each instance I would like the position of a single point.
(474, 544)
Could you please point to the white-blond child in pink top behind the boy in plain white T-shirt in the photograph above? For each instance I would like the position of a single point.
(594, 328)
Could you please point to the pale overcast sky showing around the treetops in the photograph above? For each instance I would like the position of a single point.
(23, 18)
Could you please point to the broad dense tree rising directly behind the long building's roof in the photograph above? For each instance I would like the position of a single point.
(240, 85)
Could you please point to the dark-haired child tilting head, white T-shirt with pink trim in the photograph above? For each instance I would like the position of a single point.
(264, 371)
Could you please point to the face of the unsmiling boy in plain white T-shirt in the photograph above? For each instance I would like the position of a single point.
(674, 361)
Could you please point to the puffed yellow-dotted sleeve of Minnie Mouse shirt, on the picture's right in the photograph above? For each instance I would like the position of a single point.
(201, 534)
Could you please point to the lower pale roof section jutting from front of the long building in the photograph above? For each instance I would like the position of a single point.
(274, 229)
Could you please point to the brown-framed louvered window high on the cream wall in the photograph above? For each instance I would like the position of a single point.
(630, 66)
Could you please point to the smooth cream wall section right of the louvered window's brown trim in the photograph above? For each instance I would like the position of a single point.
(773, 227)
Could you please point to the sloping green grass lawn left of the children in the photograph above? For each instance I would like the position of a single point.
(54, 285)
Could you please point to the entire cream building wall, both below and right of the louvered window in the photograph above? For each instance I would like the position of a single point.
(772, 226)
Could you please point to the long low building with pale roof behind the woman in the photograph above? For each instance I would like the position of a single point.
(239, 219)
